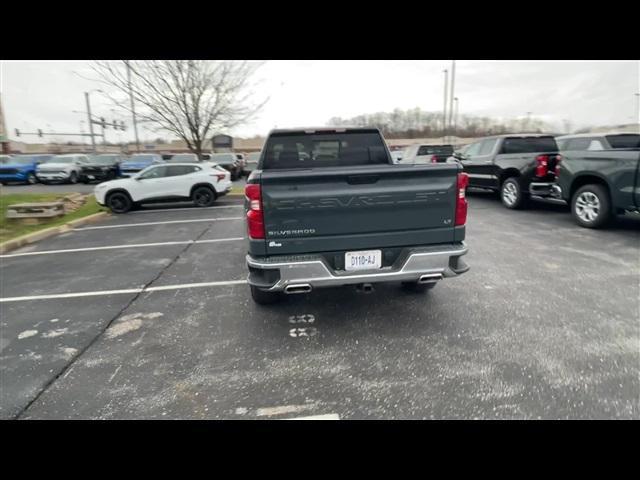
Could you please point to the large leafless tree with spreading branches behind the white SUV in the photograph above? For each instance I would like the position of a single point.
(190, 99)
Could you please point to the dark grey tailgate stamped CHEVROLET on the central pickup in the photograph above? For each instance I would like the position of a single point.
(331, 209)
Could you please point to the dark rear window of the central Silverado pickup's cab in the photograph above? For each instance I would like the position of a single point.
(324, 149)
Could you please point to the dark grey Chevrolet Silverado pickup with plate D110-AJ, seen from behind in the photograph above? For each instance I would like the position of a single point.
(329, 208)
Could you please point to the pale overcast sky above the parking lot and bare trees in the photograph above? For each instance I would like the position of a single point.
(308, 93)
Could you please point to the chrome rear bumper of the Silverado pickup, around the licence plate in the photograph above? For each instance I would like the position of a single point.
(301, 273)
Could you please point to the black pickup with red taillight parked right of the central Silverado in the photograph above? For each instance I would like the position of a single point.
(517, 166)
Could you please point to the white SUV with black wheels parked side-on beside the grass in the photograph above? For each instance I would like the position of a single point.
(201, 183)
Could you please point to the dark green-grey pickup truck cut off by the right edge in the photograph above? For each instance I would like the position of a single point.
(599, 184)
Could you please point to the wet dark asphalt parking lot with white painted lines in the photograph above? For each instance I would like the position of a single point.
(160, 325)
